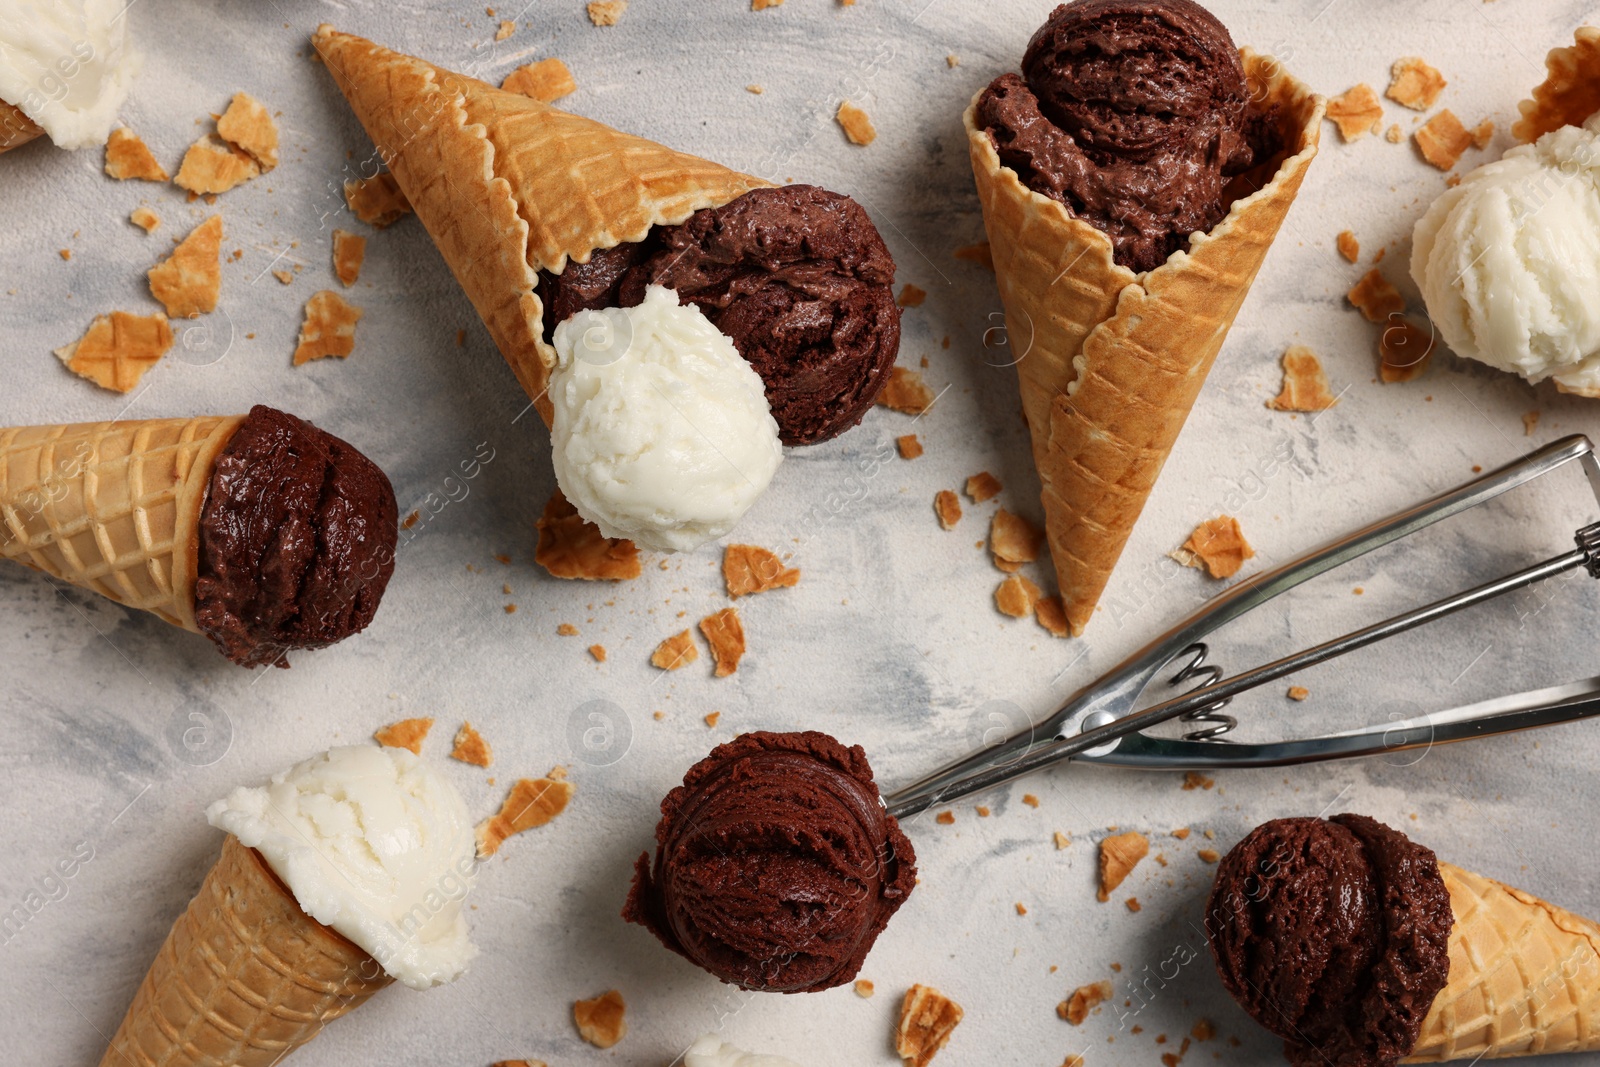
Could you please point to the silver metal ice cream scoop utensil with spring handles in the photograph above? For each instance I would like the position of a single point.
(1103, 722)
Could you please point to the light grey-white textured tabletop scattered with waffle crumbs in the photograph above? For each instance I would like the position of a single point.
(890, 641)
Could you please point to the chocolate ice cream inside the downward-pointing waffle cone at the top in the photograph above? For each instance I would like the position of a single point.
(1134, 114)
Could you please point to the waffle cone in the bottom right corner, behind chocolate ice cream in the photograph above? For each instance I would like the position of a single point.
(1524, 978)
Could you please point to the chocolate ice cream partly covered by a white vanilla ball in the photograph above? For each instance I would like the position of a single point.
(796, 276)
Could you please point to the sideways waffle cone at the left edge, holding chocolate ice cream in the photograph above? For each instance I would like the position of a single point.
(113, 508)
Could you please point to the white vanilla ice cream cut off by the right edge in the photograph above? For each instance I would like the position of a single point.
(1510, 262)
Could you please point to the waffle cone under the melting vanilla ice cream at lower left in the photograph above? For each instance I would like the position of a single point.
(244, 978)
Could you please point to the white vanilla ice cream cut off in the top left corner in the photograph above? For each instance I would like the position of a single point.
(68, 66)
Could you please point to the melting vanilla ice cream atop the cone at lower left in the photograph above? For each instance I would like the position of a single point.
(375, 845)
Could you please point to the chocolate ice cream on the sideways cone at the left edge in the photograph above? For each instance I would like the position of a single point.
(297, 541)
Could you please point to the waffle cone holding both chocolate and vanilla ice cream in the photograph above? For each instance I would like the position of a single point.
(510, 186)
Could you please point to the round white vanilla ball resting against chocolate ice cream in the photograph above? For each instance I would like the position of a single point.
(662, 431)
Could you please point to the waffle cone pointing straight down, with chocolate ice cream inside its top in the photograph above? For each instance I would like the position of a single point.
(1108, 361)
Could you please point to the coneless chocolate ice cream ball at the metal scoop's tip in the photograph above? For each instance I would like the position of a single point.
(777, 866)
